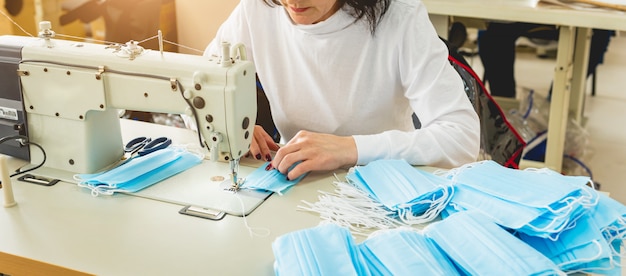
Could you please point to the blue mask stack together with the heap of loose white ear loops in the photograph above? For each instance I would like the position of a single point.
(384, 194)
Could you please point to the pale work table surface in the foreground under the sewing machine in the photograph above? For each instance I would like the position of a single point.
(65, 226)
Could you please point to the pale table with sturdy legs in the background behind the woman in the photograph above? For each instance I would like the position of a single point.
(572, 54)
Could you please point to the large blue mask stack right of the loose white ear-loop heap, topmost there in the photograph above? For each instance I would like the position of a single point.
(545, 202)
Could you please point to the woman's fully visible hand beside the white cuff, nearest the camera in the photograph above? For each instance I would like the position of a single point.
(316, 151)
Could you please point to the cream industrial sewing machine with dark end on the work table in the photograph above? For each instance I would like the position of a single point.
(65, 96)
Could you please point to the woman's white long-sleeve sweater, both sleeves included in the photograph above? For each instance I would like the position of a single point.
(336, 77)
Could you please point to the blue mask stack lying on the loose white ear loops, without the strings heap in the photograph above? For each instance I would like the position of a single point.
(417, 196)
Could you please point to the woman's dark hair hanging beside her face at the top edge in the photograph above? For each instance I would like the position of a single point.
(372, 10)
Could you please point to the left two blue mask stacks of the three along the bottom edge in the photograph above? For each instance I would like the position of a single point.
(330, 250)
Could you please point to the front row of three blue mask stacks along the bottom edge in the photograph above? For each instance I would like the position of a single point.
(465, 244)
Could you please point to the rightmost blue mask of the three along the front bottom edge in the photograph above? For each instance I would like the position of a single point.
(480, 247)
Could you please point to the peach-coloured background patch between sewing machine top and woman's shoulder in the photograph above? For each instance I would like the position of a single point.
(198, 21)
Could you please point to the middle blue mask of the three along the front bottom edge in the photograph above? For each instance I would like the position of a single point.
(404, 252)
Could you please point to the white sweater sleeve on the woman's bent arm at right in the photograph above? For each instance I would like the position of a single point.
(450, 131)
